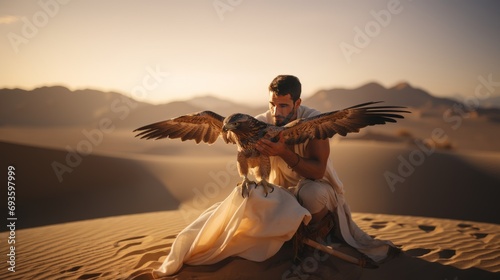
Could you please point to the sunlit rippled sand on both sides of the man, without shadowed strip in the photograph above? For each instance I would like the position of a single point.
(129, 247)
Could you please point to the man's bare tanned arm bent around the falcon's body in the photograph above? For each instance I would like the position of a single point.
(311, 166)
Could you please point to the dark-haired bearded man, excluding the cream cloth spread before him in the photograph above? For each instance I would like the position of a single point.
(307, 170)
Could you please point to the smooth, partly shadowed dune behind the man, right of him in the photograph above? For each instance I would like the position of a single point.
(454, 185)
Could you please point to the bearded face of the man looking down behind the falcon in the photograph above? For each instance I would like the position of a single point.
(282, 108)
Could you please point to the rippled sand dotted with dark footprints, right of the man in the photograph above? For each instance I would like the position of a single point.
(450, 242)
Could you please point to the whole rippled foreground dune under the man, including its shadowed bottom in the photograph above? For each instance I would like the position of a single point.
(129, 247)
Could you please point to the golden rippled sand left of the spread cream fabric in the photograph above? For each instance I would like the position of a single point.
(110, 248)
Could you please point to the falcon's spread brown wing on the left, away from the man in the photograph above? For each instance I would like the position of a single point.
(204, 126)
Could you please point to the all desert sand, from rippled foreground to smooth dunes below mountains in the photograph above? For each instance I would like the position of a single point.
(116, 214)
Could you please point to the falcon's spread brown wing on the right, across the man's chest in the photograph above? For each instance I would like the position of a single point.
(341, 122)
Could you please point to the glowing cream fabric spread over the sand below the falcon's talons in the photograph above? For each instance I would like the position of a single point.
(253, 228)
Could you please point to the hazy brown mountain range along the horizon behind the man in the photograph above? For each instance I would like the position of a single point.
(59, 106)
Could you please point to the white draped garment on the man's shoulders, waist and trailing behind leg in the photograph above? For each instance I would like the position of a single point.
(286, 177)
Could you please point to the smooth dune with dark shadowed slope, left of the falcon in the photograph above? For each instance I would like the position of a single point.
(109, 184)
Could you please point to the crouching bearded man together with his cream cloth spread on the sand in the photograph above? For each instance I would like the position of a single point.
(247, 228)
